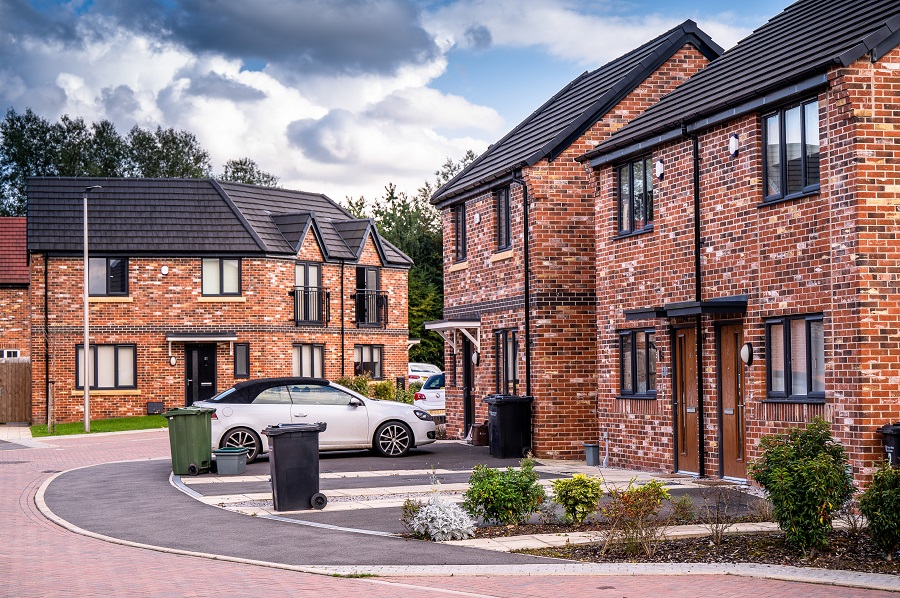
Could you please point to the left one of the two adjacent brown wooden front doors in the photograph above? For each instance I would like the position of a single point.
(687, 411)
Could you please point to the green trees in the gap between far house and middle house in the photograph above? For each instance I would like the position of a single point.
(412, 224)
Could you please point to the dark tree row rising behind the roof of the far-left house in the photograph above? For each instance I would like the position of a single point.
(32, 146)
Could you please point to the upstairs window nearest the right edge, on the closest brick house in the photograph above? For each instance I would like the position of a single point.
(791, 139)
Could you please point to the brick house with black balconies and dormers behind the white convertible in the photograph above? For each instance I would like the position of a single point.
(195, 284)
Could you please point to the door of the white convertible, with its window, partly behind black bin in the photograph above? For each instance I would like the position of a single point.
(347, 423)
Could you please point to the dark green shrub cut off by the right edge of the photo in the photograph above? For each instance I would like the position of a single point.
(880, 503)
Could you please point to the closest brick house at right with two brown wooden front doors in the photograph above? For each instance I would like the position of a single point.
(756, 286)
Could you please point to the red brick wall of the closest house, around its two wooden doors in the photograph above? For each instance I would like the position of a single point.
(834, 252)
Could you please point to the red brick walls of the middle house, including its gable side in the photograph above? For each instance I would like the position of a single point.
(563, 312)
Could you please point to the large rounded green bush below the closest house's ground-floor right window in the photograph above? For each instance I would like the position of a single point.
(805, 475)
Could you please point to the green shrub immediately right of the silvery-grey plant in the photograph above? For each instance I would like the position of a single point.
(504, 497)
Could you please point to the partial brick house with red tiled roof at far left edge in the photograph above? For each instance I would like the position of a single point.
(14, 278)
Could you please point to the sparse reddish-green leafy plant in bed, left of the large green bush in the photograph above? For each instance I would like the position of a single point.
(633, 515)
